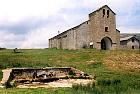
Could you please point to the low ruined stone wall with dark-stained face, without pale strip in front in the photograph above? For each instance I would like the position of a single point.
(29, 75)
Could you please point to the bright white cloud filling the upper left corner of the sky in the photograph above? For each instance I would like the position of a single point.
(15, 10)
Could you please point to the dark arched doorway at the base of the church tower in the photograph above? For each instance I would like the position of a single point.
(106, 43)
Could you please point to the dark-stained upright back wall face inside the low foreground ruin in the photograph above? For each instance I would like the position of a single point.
(30, 74)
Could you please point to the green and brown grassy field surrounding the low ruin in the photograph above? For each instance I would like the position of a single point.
(117, 72)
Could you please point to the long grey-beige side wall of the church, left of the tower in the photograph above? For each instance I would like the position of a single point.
(75, 38)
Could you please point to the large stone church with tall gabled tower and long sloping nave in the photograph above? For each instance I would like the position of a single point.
(98, 32)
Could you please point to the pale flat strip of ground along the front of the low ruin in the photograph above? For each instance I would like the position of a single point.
(59, 83)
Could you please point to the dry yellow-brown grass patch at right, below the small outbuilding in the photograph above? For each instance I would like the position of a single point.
(128, 61)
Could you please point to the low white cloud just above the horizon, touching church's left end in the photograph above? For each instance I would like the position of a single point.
(36, 39)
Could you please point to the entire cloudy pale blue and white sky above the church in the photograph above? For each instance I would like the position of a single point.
(30, 23)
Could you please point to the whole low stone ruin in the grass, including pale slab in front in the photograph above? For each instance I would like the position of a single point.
(44, 77)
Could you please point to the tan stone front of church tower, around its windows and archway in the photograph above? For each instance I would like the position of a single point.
(97, 28)
